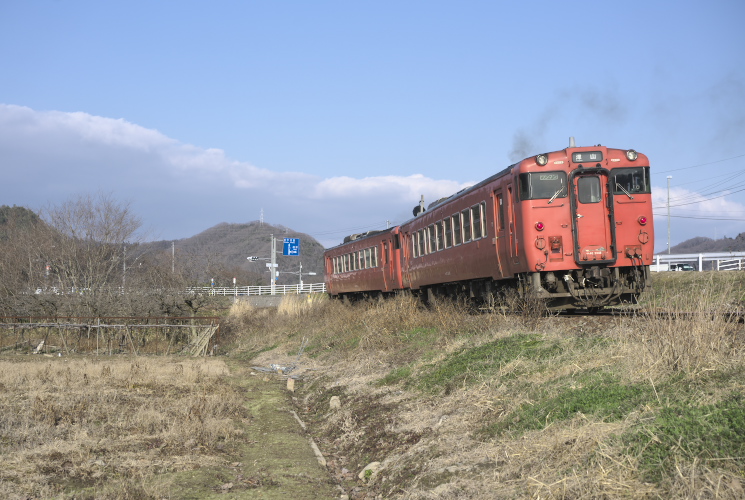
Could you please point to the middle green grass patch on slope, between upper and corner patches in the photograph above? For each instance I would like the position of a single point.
(595, 393)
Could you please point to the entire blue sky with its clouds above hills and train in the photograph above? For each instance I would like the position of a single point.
(334, 116)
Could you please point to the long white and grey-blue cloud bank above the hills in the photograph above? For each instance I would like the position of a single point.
(181, 189)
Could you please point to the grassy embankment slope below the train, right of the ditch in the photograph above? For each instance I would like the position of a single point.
(457, 405)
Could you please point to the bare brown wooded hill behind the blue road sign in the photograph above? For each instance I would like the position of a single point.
(222, 252)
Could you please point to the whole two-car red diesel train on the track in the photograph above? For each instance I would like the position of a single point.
(573, 227)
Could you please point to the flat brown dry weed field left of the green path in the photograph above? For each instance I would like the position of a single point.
(110, 425)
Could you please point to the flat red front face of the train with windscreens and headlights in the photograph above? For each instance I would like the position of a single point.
(585, 217)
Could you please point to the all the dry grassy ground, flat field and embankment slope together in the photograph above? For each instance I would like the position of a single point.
(450, 403)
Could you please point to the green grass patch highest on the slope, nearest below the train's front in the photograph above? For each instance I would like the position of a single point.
(469, 365)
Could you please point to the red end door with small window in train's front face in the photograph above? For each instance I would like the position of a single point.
(593, 224)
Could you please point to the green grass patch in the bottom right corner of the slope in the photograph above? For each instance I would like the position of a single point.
(684, 433)
